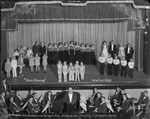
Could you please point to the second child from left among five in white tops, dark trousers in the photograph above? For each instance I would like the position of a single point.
(109, 64)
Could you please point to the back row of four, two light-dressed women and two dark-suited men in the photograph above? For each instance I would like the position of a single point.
(120, 50)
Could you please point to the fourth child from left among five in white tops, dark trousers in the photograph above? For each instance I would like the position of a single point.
(123, 67)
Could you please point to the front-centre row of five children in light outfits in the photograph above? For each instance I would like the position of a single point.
(76, 72)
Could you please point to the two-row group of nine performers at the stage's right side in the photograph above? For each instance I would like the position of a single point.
(115, 60)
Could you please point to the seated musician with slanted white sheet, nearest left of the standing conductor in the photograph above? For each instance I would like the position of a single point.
(47, 102)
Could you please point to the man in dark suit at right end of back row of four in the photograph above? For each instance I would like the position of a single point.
(129, 52)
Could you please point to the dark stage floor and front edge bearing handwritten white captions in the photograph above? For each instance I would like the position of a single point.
(44, 81)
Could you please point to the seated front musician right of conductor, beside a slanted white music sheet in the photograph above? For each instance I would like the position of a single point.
(102, 106)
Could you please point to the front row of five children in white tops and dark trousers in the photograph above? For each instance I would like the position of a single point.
(113, 65)
